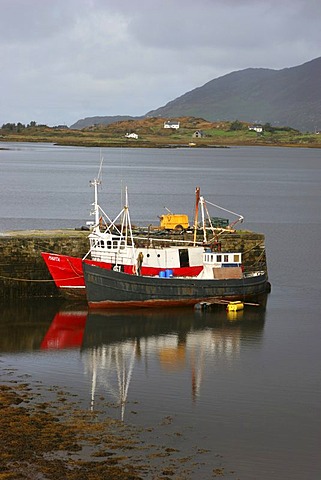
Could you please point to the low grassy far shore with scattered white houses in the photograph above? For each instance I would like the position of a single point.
(151, 133)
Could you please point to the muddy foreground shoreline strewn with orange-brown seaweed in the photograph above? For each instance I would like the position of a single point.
(52, 439)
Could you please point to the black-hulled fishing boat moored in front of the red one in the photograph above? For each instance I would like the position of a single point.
(114, 289)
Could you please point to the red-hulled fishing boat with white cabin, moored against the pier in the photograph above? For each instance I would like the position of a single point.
(114, 246)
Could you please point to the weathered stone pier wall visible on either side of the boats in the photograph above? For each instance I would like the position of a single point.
(23, 272)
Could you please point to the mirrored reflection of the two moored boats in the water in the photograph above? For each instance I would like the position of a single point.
(111, 342)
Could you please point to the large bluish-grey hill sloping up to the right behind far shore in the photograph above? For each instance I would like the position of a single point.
(289, 97)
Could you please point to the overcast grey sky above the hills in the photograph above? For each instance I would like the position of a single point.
(62, 60)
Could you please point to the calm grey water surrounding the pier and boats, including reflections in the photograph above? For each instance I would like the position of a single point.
(248, 388)
